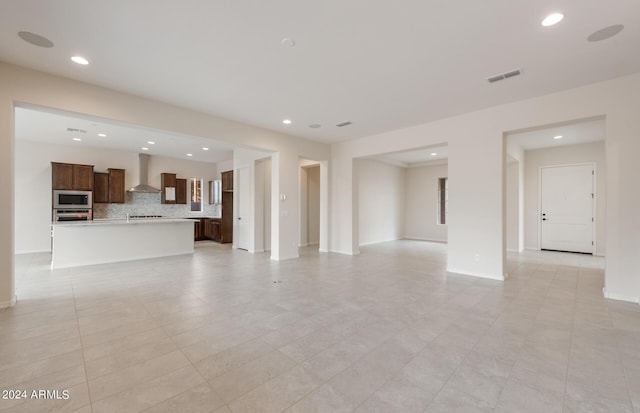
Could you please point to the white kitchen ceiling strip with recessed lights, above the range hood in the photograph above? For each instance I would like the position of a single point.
(39, 126)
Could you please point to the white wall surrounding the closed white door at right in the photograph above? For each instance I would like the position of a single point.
(568, 154)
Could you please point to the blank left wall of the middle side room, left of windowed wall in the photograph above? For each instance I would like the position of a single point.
(382, 200)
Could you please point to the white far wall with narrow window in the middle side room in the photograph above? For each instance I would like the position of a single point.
(421, 206)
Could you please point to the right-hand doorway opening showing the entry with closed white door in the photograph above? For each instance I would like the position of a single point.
(563, 167)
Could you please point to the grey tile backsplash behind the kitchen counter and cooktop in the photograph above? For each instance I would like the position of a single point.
(137, 203)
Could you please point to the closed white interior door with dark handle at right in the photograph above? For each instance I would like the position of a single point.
(566, 208)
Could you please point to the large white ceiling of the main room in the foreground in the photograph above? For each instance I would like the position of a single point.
(381, 65)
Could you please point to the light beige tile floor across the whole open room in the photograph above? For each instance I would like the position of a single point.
(385, 331)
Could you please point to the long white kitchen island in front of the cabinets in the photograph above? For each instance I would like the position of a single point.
(112, 240)
